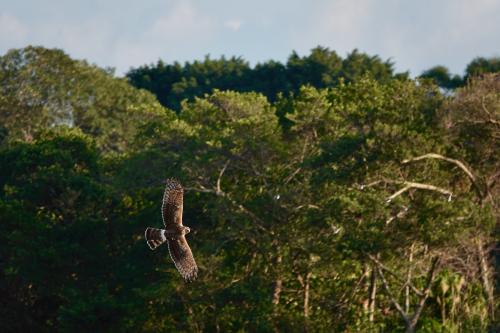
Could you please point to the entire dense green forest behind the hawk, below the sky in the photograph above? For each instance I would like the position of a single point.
(324, 195)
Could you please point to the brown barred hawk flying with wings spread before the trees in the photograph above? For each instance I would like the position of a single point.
(174, 232)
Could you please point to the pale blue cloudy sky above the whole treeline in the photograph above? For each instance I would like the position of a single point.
(416, 35)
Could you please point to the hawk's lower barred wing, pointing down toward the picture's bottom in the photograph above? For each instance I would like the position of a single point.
(183, 258)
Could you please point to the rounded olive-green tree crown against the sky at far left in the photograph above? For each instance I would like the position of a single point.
(42, 87)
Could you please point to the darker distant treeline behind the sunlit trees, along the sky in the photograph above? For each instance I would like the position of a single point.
(322, 68)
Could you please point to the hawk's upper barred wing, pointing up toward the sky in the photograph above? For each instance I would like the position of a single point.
(171, 208)
